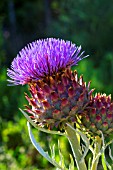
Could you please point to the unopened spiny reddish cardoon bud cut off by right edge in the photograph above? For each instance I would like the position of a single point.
(98, 116)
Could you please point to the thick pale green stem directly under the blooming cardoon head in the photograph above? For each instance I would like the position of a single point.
(75, 145)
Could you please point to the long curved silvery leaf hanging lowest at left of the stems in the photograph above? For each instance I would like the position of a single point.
(40, 149)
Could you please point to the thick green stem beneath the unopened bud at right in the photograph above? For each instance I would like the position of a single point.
(96, 154)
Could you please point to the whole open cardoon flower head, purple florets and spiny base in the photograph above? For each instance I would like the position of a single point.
(57, 94)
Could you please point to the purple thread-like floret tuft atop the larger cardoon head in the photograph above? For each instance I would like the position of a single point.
(43, 58)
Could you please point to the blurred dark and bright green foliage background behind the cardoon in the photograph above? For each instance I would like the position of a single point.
(87, 23)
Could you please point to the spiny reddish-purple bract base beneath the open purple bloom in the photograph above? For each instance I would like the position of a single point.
(58, 99)
